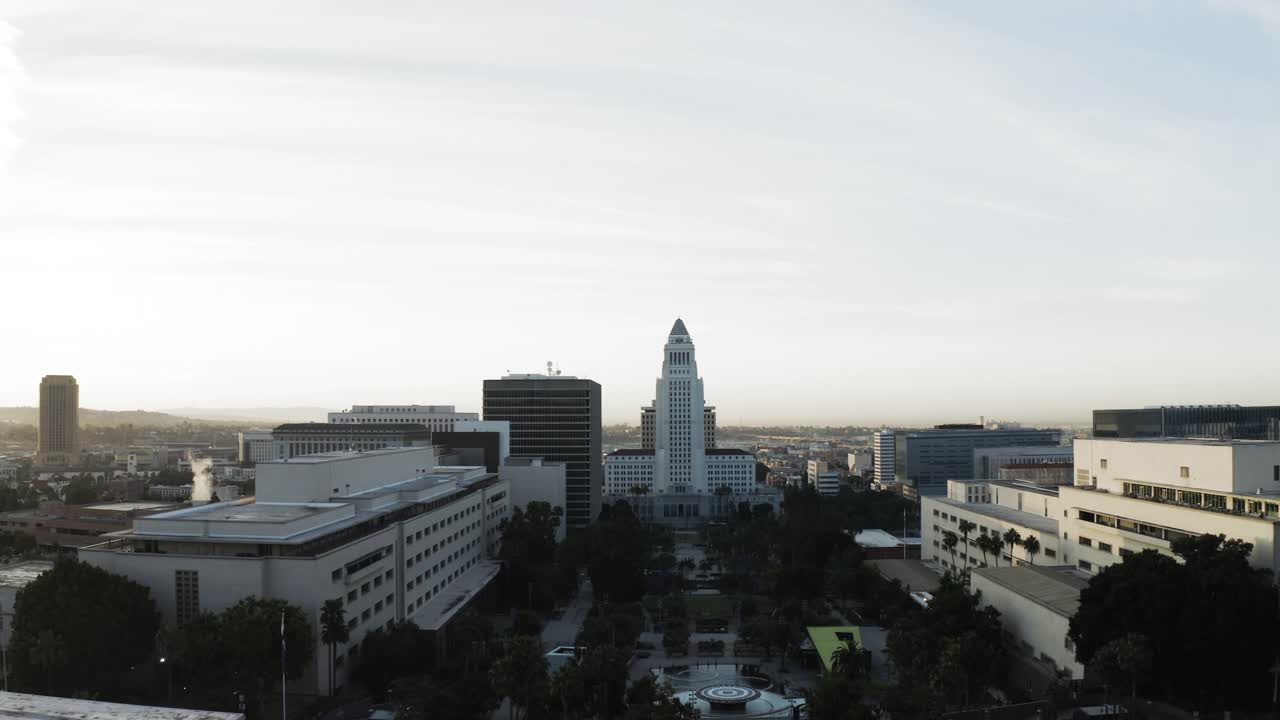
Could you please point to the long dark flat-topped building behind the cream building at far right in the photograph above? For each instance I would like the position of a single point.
(1219, 422)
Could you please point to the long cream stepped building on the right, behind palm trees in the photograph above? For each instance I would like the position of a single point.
(1128, 496)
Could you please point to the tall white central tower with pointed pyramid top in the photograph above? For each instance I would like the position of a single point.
(680, 452)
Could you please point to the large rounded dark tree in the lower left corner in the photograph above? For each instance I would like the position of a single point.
(97, 616)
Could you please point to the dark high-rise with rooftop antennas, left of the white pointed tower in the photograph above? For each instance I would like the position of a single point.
(556, 418)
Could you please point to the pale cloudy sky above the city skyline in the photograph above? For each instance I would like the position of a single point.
(865, 212)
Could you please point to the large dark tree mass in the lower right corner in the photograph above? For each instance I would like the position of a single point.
(1203, 619)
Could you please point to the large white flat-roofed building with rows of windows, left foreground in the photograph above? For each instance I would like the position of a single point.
(387, 534)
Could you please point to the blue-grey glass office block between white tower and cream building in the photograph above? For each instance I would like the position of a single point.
(929, 459)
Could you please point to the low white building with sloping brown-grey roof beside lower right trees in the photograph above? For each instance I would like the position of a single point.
(1036, 605)
